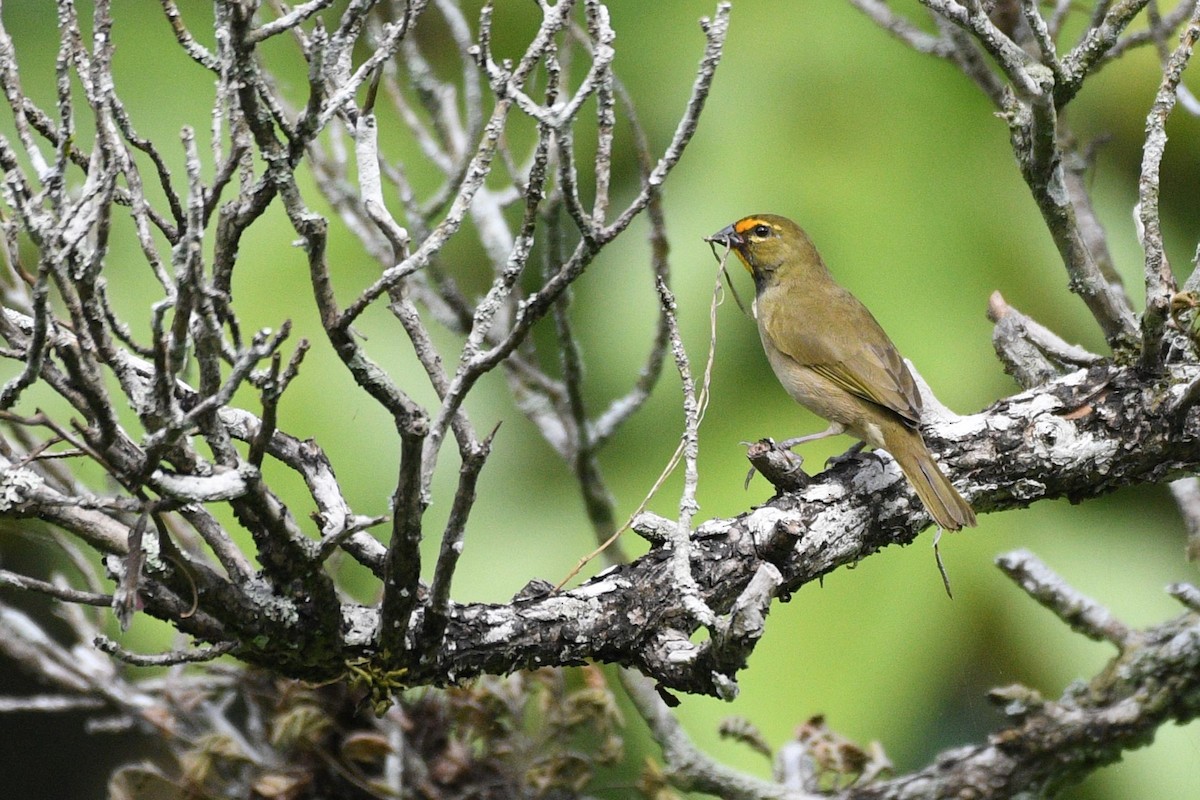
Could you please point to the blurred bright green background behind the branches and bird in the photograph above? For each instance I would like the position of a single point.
(903, 176)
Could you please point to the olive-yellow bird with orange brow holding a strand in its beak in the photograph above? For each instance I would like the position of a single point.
(835, 359)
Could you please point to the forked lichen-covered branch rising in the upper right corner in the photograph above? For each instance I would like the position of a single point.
(1031, 87)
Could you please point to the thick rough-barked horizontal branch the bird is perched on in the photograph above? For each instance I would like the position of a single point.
(1082, 436)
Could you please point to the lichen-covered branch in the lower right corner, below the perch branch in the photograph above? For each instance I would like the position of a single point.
(1051, 744)
